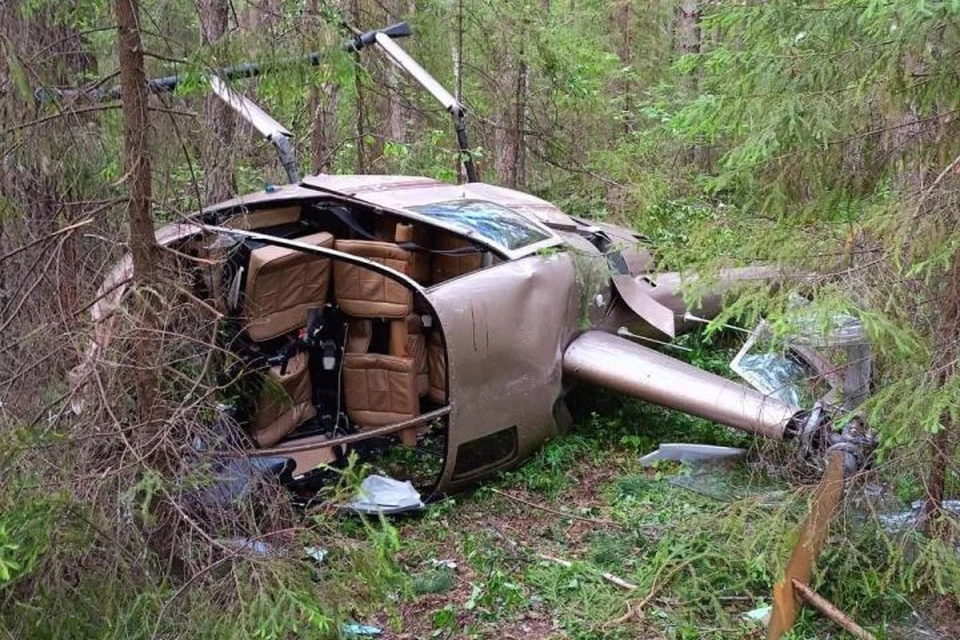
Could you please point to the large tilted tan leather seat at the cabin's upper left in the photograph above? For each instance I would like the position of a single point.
(282, 284)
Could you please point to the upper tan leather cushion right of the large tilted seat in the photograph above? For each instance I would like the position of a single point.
(365, 293)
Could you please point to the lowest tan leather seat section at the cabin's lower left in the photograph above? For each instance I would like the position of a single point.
(285, 402)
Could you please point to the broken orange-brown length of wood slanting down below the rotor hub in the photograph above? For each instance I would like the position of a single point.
(813, 535)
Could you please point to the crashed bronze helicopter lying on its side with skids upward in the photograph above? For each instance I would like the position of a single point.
(391, 309)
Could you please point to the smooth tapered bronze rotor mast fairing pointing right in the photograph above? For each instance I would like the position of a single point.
(627, 367)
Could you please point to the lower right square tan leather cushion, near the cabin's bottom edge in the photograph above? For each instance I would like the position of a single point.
(379, 389)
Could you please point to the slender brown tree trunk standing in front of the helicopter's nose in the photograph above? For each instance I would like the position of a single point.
(143, 242)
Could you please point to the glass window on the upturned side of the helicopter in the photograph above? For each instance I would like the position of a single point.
(496, 224)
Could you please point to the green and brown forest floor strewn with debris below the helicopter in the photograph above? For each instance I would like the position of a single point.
(483, 564)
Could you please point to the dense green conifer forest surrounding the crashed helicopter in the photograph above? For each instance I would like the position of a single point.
(819, 136)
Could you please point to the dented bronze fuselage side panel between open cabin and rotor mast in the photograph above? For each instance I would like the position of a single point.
(505, 329)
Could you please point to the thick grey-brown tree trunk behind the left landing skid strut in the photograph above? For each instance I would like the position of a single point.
(220, 183)
